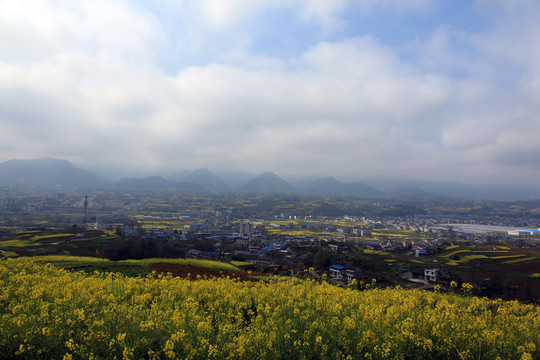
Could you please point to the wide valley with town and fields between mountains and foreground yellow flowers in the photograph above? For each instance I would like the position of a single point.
(412, 244)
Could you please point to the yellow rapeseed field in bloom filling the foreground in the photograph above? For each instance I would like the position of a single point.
(50, 313)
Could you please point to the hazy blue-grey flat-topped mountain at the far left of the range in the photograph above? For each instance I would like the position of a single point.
(47, 174)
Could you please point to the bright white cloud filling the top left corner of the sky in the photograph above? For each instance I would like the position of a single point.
(41, 30)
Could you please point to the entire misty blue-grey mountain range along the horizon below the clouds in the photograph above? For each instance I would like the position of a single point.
(49, 174)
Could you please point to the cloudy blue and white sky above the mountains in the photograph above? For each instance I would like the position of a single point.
(424, 89)
